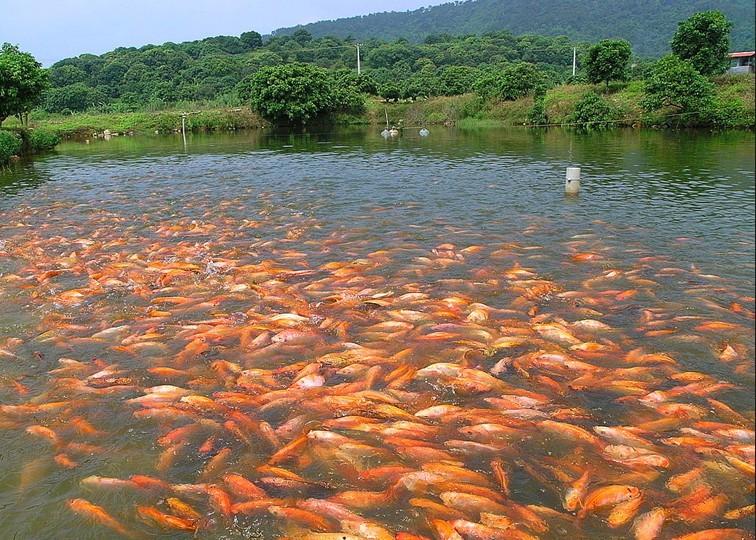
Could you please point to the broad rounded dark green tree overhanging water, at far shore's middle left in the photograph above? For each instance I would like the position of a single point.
(297, 92)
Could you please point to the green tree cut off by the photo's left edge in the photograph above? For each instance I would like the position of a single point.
(22, 81)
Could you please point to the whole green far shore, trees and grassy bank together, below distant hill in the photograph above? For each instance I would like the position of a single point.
(494, 79)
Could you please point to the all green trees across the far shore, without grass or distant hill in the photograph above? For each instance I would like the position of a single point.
(296, 78)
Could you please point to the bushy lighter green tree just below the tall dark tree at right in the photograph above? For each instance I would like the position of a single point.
(675, 83)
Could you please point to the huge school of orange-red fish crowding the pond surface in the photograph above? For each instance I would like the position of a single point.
(266, 374)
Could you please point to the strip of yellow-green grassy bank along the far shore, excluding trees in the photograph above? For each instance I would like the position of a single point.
(735, 103)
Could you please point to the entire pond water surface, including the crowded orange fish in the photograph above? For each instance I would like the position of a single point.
(265, 335)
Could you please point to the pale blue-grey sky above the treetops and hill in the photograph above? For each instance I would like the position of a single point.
(56, 29)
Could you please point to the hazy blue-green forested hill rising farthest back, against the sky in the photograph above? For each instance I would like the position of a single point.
(647, 24)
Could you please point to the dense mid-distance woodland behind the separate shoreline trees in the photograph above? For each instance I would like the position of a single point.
(211, 69)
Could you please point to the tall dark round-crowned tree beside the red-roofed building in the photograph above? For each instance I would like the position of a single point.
(704, 40)
